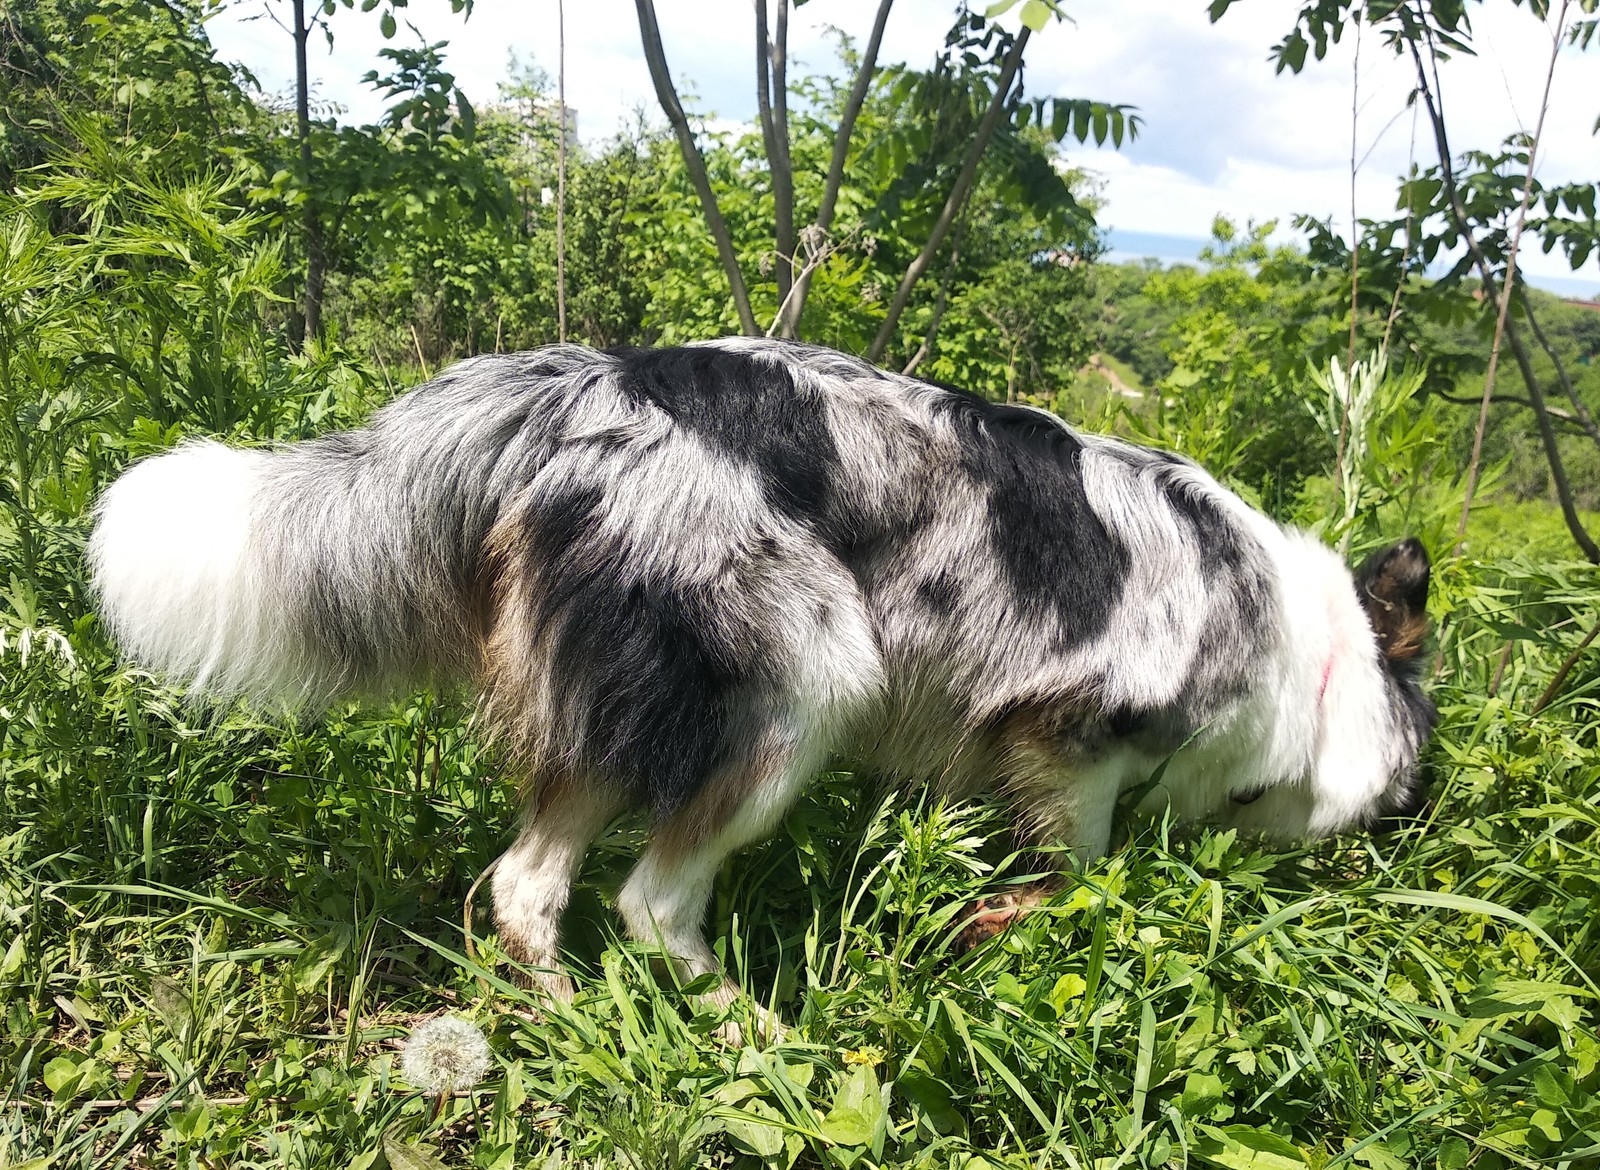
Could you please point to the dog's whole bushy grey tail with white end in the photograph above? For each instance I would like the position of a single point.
(343, 566)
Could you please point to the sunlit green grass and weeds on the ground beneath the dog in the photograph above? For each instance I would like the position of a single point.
(220, 931)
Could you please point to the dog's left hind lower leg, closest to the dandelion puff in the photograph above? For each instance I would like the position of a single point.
(535, 876)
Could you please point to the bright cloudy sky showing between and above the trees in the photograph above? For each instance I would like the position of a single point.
(1223, 134)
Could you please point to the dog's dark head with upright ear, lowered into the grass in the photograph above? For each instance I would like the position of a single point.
(1393, 590)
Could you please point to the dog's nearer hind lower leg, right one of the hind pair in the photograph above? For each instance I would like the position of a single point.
(665, 897)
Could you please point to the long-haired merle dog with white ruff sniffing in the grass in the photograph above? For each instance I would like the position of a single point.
(687, 579)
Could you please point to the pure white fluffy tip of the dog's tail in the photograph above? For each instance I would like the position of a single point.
(182, 580)
